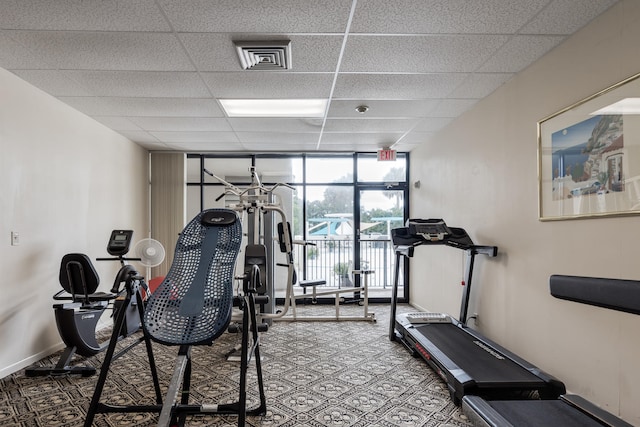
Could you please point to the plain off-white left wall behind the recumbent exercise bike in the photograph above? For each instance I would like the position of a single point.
(66, 181)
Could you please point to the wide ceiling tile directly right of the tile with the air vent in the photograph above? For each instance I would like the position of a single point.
(419, 54)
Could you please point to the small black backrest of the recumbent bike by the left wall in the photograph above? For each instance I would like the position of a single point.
(78, 276)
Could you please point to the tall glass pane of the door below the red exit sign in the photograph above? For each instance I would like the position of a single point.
(380, 210)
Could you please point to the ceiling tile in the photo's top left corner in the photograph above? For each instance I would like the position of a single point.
(94, 15)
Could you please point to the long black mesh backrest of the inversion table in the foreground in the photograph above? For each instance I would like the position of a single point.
(193, 304)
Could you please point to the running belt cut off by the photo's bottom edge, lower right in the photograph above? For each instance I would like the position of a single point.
(542, 413)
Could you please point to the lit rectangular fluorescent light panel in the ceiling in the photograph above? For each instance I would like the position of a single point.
(274, 107)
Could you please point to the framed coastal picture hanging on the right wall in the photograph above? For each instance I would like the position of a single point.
(589, 156)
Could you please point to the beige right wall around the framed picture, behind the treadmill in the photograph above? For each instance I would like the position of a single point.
(481, 174)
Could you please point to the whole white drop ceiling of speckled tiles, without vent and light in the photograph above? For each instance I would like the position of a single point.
(155, 70)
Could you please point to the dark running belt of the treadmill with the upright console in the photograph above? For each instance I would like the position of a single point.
(479, 361)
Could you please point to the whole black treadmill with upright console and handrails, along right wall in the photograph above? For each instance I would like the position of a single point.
(467, 361)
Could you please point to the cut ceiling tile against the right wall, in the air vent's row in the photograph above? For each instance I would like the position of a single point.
(519, 52)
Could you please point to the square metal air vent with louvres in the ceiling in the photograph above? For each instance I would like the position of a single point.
(264, 55)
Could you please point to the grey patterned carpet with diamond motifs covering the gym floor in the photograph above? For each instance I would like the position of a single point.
(316, 374)
